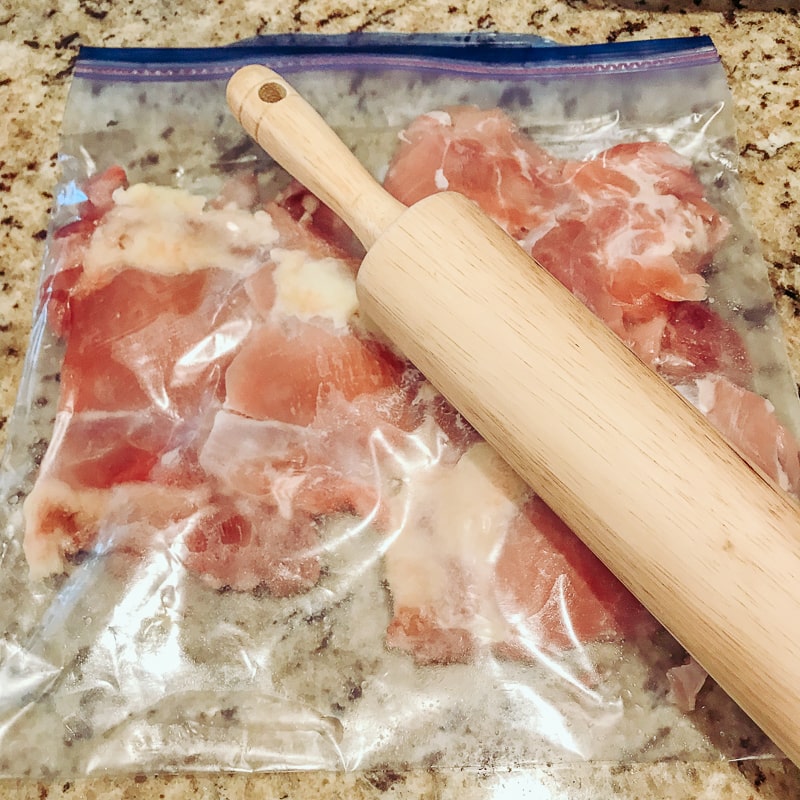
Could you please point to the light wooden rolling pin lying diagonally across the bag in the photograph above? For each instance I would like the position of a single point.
(702, 538)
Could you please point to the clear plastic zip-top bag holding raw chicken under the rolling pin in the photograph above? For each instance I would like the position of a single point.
(241, 531)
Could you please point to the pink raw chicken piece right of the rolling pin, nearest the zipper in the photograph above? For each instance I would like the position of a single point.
(624, 231)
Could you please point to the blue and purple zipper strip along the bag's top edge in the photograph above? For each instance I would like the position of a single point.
(495, 55)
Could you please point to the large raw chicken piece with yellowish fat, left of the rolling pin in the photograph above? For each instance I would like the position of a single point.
(181, 366)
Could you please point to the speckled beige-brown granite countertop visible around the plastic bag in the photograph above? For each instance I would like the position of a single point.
(760, 48)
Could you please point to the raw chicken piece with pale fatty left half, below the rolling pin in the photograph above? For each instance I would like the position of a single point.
(484, 565)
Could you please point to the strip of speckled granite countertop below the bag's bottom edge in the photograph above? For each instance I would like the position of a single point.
(670, 781)
